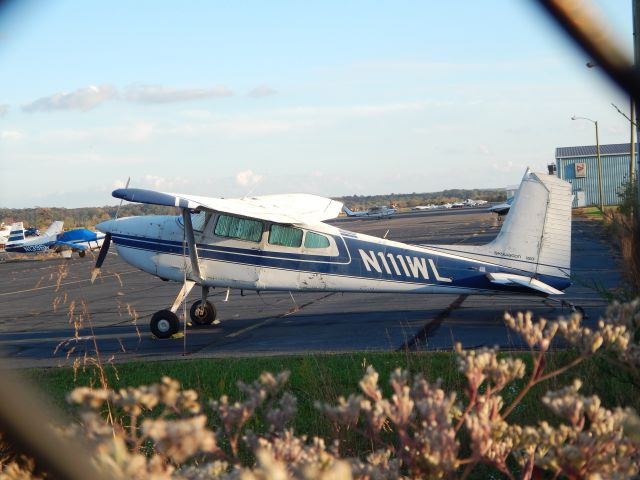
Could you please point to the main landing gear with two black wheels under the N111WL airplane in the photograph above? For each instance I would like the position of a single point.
(165, 323)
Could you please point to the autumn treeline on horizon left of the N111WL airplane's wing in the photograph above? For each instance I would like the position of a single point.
(41, 217)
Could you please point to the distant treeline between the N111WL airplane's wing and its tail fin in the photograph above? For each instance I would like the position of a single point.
(408, 200)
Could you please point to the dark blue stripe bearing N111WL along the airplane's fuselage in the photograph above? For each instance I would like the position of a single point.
(385, 262)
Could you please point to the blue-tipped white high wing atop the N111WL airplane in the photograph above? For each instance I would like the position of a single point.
(296, 208)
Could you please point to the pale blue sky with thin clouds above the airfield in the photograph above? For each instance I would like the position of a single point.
(235, 98)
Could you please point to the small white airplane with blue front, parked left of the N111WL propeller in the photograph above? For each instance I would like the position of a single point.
(54, 239)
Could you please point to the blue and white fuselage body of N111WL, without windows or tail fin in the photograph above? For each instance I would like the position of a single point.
(352, 262)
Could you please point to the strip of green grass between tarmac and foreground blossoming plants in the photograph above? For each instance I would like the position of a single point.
(325, 377)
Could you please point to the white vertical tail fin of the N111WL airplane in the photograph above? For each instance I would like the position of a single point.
(536, 235)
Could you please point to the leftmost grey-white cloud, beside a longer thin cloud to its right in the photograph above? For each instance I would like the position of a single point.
(83, 99)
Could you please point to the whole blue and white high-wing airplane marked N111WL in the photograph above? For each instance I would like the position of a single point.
(281, 242)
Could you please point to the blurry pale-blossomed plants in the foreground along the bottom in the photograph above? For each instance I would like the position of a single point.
(418, 431)
